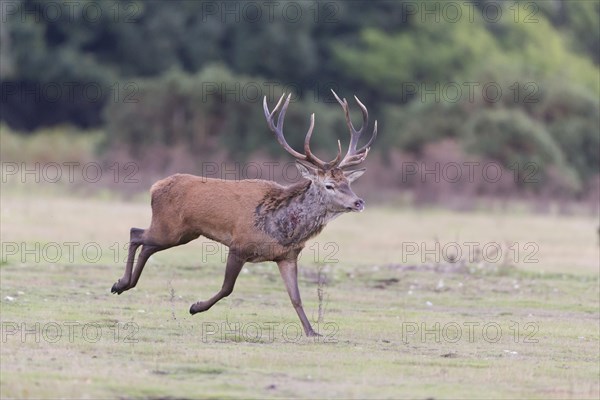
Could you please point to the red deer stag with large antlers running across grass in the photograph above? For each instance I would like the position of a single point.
(258, 220)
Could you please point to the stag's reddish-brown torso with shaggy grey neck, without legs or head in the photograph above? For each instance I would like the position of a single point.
(260, 219)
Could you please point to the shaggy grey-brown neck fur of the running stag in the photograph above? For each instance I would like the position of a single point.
(294, 214)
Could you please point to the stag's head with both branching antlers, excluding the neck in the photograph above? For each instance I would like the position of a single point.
(332, 179)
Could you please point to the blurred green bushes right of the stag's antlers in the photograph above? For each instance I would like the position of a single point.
(557, 132)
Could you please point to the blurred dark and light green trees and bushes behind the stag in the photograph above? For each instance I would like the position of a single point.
(514, 82)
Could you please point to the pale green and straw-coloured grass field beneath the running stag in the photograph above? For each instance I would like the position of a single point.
(517, 318)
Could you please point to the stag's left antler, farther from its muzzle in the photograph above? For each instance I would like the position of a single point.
(278, 131)
